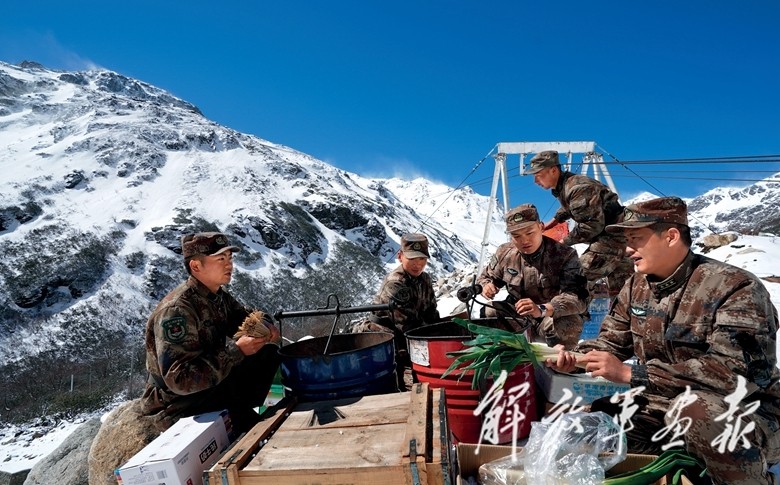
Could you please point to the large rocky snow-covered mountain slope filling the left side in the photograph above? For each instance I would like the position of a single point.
(101, 174)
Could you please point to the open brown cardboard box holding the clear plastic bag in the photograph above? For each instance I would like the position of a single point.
(469, 462)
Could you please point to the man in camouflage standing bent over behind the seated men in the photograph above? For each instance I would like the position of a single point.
(592, 205)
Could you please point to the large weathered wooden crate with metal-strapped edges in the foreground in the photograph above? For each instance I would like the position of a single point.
(399, 438)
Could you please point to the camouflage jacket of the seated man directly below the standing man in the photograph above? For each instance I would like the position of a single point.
(552, 275)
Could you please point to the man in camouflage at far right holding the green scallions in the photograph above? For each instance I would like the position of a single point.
(691, 322)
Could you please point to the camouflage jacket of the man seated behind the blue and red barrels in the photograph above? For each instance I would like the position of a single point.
(414, 299)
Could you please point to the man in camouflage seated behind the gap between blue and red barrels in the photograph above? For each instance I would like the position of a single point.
(410, 290)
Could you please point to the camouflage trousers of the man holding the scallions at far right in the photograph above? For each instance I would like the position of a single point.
(743, 459)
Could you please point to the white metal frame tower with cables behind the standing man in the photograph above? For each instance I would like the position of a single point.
(590, 159)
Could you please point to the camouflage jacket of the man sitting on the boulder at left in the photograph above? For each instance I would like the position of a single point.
(189, 346)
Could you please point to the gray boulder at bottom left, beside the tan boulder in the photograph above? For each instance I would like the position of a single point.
(67, 463)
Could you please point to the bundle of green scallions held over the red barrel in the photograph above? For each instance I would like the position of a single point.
(493, 350)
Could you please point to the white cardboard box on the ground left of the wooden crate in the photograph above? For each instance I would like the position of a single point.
(180, 454)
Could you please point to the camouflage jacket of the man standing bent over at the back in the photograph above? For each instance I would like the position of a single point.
(593, 206)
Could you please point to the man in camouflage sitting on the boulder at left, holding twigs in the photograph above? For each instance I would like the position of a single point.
(194, 364)
